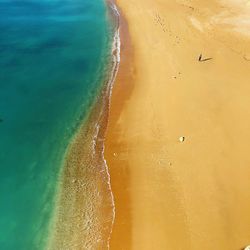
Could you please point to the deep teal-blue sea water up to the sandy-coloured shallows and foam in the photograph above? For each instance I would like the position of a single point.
(52, 56)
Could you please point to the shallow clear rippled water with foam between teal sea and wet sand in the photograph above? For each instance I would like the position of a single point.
(84, 212)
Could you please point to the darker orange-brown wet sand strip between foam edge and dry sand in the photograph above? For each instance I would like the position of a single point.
(122, 89)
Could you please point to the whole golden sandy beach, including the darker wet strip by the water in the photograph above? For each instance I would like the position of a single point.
(193, 194)
